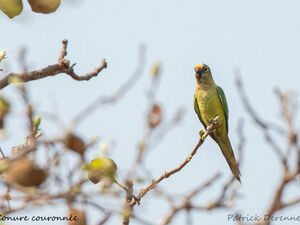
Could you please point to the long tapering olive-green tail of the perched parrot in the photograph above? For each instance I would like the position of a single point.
(229, 156)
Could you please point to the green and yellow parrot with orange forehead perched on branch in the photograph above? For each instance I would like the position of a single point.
(210, 102)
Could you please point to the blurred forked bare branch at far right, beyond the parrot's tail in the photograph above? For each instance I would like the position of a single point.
(288, 175)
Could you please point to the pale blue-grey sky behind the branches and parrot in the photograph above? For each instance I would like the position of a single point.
(261, 37)
